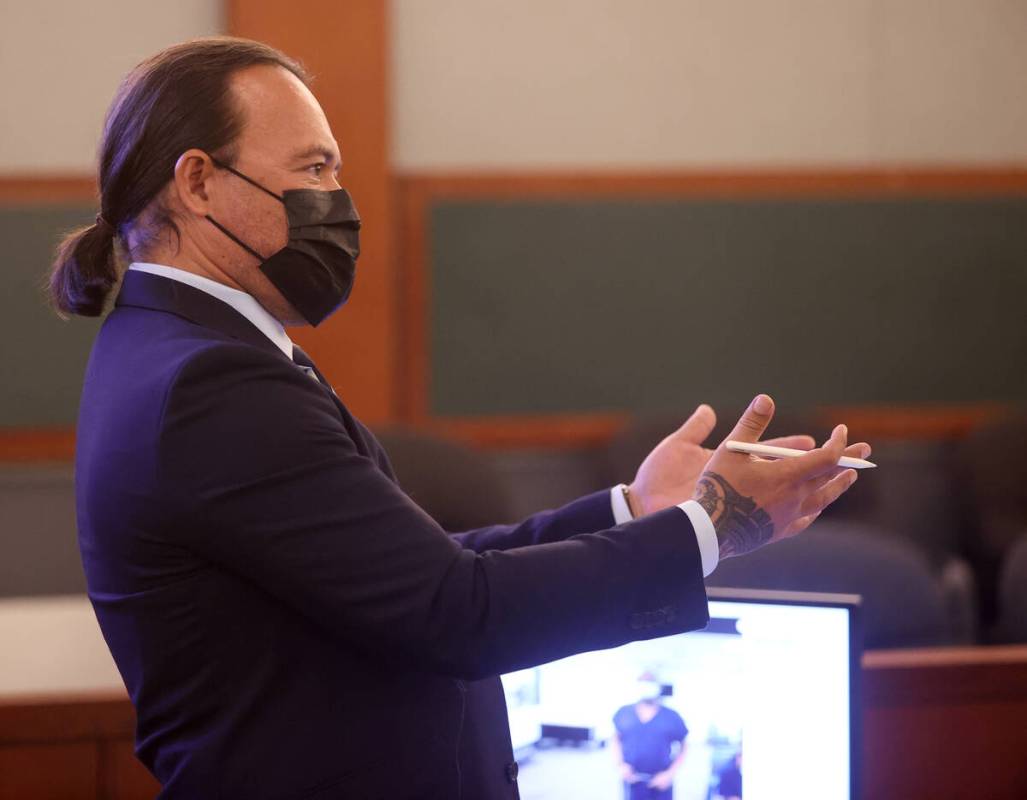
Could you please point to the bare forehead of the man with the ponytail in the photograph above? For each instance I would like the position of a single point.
(281, 115)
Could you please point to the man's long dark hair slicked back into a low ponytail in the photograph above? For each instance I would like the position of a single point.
(177, 100)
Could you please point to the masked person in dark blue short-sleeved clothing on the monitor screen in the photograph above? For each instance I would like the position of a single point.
(650, 744)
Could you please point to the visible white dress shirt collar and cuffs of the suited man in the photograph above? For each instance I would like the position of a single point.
(274, 330)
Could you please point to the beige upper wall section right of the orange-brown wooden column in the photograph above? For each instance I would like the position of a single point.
(608, 84)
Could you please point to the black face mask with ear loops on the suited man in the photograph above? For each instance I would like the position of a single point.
(316, 271)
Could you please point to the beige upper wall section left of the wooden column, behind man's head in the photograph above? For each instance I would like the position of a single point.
(61, 62)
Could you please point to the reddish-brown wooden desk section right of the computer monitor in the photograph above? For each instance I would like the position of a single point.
(945, 723)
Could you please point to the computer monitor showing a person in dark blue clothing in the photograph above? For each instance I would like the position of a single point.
(764, 704)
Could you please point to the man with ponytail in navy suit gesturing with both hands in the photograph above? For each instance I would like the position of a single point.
(288, 623)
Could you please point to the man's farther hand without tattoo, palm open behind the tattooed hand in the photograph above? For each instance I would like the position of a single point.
(670, 473)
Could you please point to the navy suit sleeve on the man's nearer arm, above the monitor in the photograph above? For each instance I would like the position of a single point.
(264, 480)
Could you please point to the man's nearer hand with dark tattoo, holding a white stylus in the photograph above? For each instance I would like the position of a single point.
(754, 502)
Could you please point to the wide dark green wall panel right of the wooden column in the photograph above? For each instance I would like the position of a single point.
(543, 307)
